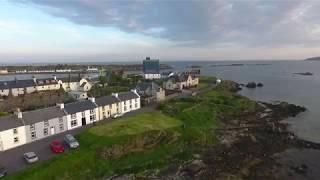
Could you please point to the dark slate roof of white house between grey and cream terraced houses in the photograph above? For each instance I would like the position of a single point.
(79, 106)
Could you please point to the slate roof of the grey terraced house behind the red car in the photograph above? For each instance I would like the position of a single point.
(31, 117)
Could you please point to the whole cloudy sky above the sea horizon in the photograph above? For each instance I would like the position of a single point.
(123, 30)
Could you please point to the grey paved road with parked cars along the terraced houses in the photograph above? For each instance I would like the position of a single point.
(13, 159)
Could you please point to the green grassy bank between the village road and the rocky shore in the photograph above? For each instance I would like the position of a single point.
(181, 128)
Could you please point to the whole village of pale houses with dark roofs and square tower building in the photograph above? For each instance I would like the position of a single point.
(92, 100)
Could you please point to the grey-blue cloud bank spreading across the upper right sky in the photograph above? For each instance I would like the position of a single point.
(214, 23)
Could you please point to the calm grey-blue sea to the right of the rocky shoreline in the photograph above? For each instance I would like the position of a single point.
(280, 84)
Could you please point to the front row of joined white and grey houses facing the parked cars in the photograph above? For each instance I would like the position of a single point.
(26, 127)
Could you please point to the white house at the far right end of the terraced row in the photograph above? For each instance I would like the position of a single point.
(129, 101)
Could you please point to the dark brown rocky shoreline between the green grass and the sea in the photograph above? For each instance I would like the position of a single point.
(248, 147)
